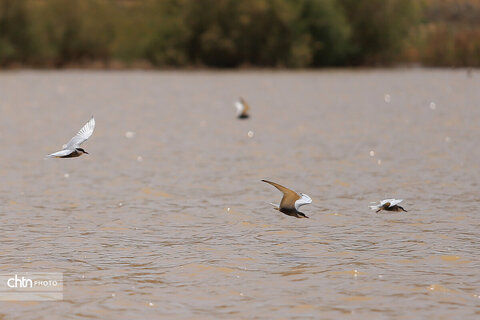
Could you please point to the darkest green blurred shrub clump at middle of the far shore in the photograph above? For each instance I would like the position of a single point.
(267, 33)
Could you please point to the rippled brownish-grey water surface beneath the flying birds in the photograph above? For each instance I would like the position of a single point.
(174, 222)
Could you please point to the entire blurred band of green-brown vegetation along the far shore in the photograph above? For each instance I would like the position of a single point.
(234, 33)
